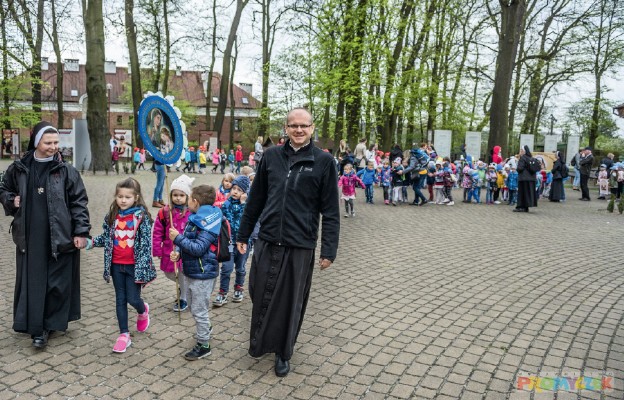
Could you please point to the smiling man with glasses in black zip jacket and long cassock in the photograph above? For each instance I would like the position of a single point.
(294, 185)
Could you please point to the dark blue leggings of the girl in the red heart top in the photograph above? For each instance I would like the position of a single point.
(126, 292)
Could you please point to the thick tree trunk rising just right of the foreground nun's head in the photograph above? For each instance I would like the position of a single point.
(97, 119)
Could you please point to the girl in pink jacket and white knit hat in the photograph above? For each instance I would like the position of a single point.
(177, 212)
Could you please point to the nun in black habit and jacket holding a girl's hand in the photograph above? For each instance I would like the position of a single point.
(48, 202)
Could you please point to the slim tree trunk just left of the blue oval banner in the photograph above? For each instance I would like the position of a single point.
(135, 70)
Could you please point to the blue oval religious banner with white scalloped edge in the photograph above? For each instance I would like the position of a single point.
(160, 129)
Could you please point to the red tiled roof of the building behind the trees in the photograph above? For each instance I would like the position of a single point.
(188, 86)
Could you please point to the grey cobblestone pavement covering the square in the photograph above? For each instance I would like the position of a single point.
(422, 302)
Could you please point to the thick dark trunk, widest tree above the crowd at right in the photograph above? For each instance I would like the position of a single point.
(512, 15)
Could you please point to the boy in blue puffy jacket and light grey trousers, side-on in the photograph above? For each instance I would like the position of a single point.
(196, 247)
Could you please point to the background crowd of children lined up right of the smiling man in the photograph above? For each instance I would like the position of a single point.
(481, 183)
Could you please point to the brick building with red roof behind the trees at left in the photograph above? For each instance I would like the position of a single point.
(187, 86)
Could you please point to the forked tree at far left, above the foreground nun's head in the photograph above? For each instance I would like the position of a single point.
(23, 17)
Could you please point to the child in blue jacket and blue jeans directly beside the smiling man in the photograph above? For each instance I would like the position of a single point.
(233, 209)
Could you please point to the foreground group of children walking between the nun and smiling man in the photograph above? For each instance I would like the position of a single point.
(184, 238)
